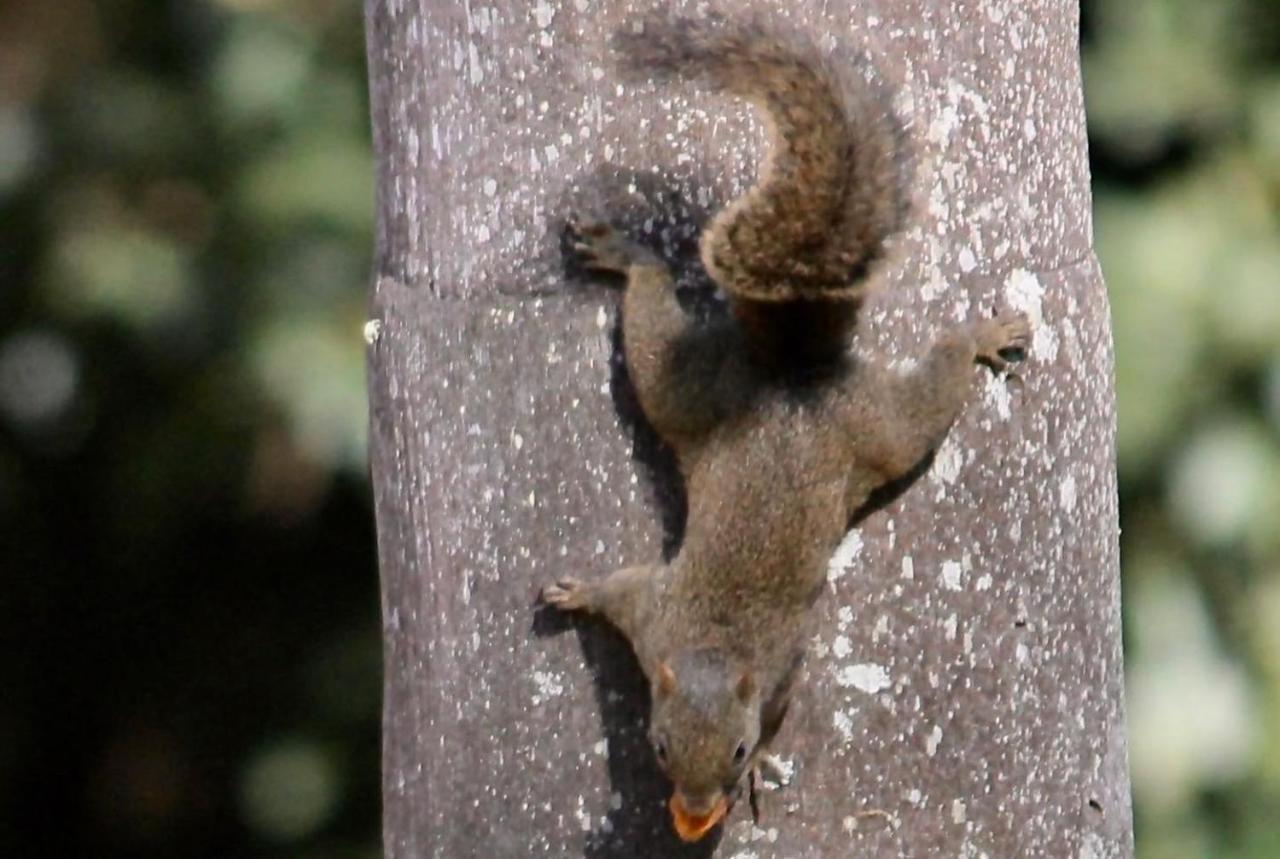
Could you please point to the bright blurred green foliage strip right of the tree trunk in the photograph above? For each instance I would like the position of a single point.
(1185, 116)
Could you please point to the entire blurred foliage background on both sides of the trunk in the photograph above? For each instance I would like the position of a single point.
(193, 650)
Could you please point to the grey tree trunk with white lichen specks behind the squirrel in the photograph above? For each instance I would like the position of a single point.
(964, 691)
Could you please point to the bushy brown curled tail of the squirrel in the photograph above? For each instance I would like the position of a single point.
(831, 190)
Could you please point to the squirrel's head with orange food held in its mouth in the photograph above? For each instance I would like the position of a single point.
(705, 728)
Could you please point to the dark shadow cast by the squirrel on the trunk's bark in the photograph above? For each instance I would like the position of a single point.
(657, 209)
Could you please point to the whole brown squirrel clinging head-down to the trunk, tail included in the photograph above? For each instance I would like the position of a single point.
(780, 433)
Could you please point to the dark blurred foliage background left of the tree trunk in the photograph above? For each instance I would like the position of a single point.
(193, 662)
